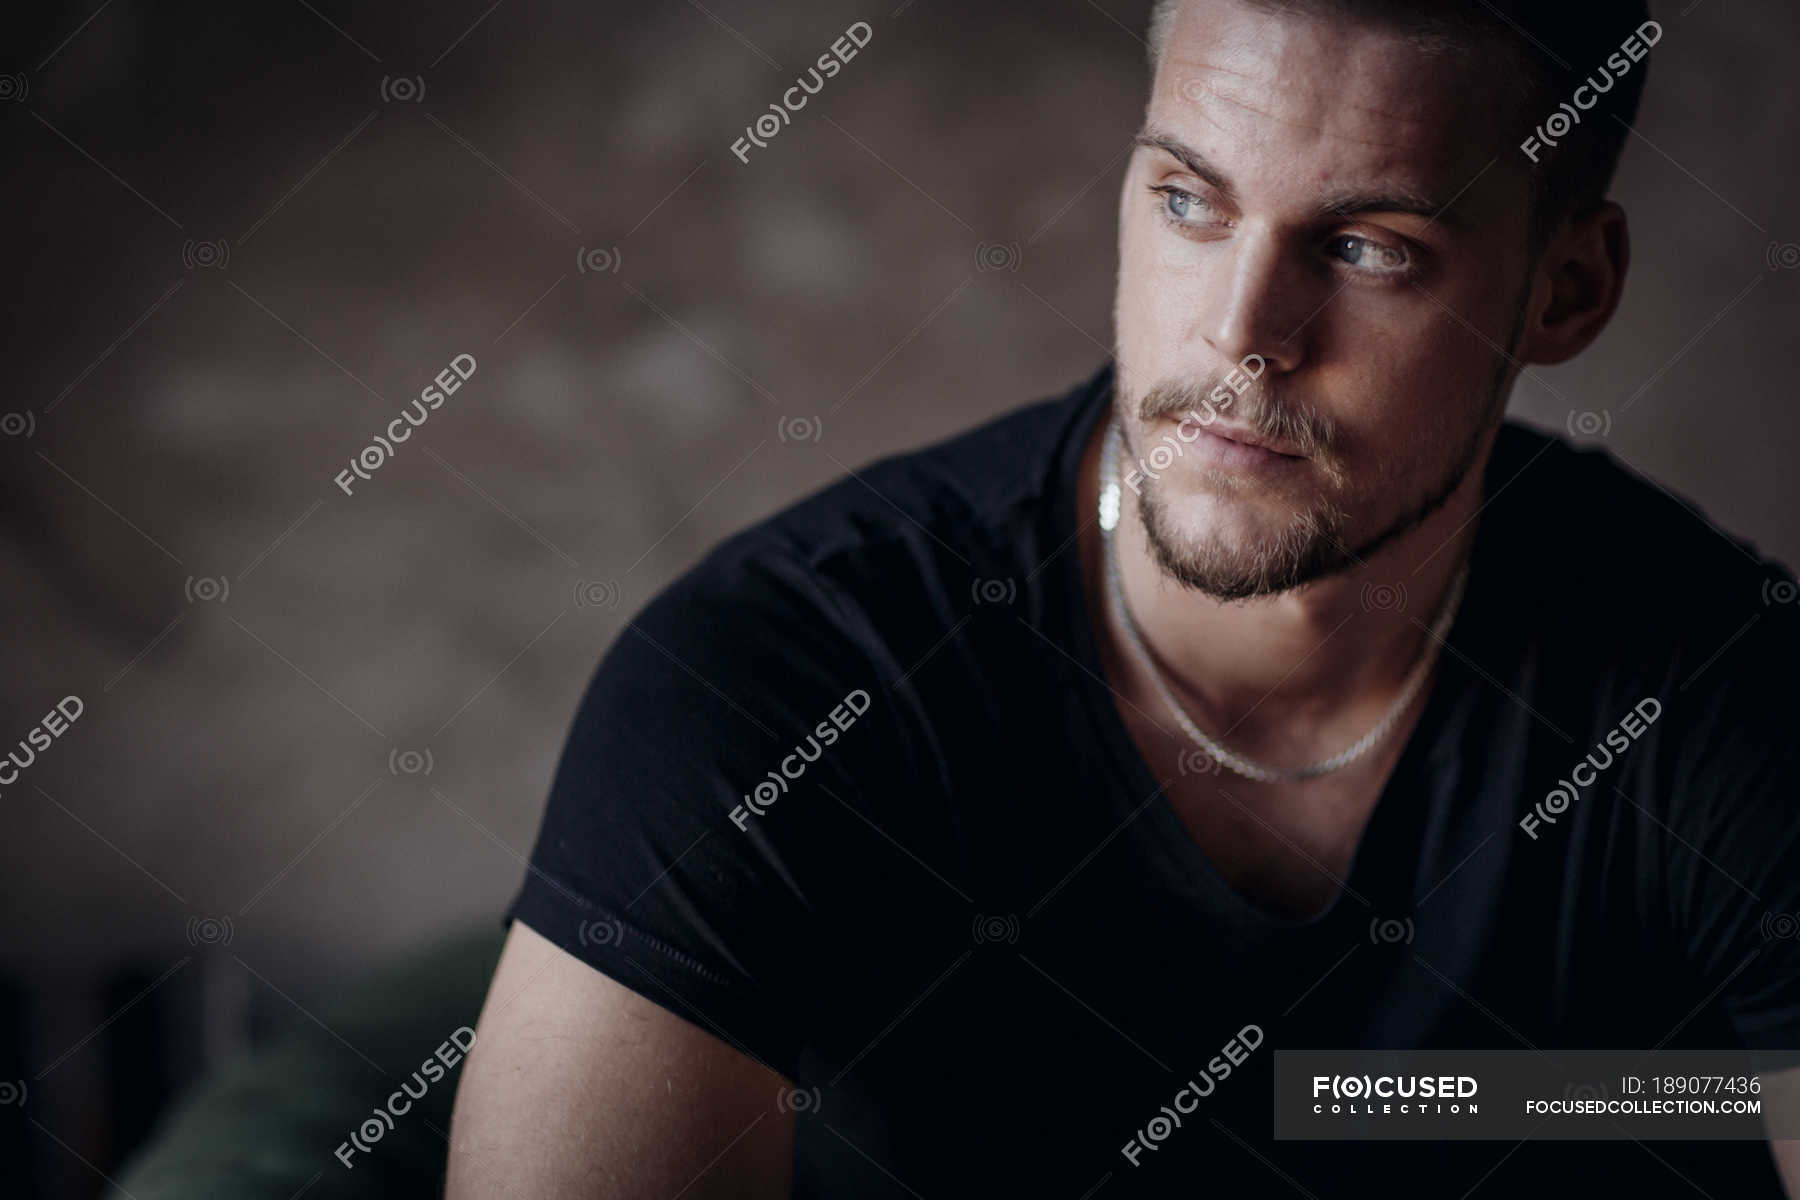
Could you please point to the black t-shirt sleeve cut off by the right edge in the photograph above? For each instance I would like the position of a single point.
(1736, 848)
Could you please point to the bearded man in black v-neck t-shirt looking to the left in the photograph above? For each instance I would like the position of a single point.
(987, 823)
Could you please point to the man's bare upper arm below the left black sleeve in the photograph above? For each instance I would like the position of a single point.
(580, 1088)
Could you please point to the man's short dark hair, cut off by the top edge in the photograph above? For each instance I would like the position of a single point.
(1558, 48)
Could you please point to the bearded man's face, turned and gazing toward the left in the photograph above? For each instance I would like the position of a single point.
(1293, 222)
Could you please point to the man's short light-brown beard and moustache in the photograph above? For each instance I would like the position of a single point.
(1315, 539)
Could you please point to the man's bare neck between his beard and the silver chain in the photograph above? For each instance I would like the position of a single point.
(1318, 658)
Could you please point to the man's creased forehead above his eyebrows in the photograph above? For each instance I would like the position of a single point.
(1360, 98)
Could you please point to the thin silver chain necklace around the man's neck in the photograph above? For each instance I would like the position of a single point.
(1110, 517)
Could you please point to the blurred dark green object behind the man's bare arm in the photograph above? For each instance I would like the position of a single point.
(273, 1125)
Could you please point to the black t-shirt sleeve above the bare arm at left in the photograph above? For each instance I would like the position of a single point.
(665, 859)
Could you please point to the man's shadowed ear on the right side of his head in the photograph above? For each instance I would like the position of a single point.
(1579, 282)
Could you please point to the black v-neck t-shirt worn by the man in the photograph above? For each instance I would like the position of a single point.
(854, 796)
